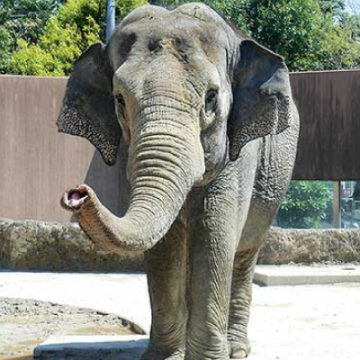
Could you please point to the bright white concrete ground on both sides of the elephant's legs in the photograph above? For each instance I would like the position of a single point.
(287, 322)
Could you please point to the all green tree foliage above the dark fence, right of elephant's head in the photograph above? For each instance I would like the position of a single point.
(305, 32)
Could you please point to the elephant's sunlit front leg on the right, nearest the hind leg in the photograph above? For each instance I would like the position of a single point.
(212, 250)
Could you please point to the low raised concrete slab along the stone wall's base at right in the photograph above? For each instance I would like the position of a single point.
(269, 275)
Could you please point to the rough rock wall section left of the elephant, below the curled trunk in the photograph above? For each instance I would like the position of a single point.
(39, 245)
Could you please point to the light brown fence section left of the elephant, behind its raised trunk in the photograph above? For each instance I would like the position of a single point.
(37, 164)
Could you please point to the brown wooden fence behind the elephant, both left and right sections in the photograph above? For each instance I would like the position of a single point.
(37, 163)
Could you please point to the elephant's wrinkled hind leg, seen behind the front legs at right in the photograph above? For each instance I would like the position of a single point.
(241, 294)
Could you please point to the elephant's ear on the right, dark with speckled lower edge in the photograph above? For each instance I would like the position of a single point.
(261, 98)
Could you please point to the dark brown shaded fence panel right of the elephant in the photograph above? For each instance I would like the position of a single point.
(329, 106)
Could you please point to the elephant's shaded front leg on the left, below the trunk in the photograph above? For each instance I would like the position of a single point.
(166, 271)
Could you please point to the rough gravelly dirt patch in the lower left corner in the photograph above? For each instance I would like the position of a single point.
(26, 323)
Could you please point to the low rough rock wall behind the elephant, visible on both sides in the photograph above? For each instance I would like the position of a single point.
(38, 245)
